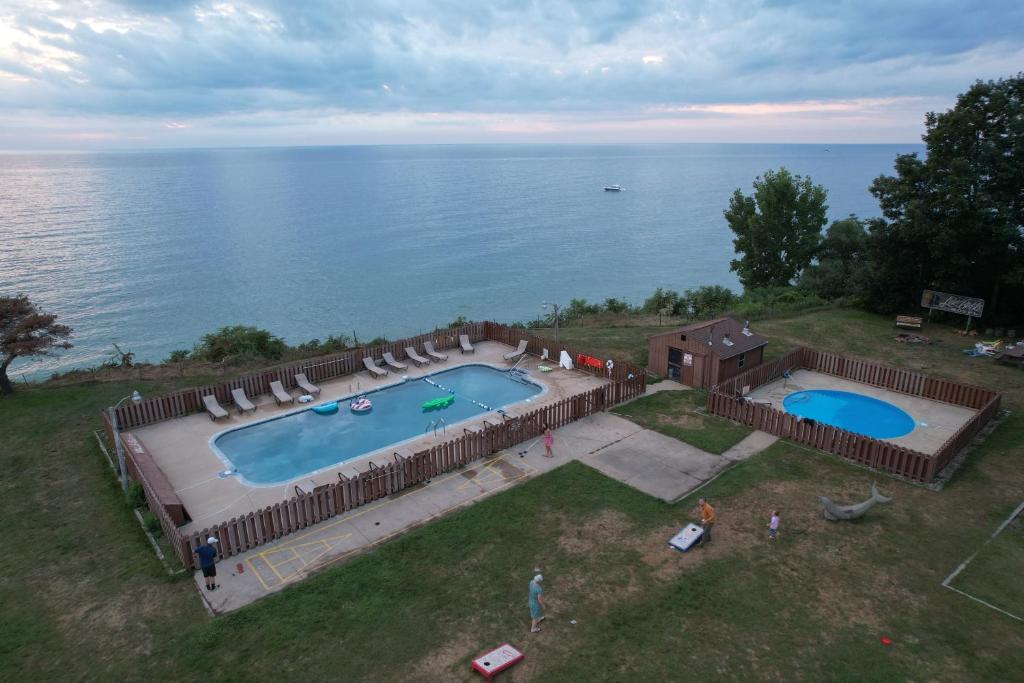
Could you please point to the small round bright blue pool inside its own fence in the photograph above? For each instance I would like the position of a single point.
(852, 412)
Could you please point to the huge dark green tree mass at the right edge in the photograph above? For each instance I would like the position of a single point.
(954, 221)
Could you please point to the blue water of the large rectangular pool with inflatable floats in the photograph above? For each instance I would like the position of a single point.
(300, 444)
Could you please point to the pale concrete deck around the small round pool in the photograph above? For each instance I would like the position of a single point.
(936, 422)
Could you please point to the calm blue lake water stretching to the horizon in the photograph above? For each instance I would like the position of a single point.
(153, 249)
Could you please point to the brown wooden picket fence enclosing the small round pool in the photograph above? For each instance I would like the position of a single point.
(727, 401)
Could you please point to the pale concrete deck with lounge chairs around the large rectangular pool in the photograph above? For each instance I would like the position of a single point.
(181, 448)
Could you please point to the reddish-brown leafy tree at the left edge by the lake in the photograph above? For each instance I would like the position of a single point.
(26, 332)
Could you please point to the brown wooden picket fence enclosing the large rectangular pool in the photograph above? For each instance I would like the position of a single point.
(298, 513)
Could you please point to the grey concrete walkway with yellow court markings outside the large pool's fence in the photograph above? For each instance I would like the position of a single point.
(646, 460)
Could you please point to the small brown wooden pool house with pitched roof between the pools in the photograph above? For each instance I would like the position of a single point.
(703, 355)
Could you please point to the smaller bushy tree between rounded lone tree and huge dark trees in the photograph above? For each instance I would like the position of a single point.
(838, 273)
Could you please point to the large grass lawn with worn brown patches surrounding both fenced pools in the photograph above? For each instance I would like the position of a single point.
(86, 600)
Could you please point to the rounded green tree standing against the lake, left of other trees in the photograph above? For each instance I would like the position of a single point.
(778, 230)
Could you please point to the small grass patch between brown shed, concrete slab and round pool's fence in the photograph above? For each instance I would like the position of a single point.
(680, 415)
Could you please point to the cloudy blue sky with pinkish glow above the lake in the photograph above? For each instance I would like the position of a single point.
(141, 74)
